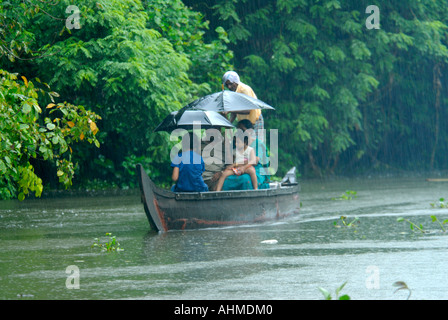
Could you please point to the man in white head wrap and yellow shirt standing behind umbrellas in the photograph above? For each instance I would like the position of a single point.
(232, 81)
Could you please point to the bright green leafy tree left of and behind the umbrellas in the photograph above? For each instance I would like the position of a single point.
(132, 62)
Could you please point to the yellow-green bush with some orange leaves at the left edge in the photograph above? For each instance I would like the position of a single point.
(29, 134)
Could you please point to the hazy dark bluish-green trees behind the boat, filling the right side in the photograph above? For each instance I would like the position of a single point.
(347, 96)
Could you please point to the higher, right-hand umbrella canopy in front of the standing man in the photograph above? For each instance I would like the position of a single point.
(225, 101)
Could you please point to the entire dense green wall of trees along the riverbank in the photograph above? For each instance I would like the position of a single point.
(84, 83)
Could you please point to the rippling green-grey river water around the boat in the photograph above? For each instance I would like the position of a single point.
(46, 248)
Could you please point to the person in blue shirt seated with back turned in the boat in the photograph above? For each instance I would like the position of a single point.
(188, 167)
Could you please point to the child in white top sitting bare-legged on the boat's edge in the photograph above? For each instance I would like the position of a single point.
(244, 161)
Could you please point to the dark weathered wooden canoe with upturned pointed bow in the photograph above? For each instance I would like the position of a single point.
(168, 210)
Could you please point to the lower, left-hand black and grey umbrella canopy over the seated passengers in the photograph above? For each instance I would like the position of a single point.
(187, 119)
